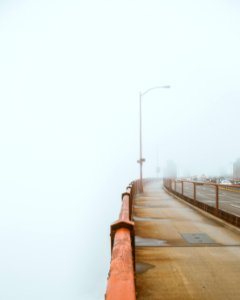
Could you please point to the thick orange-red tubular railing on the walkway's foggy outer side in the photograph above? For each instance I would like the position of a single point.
(121, 278)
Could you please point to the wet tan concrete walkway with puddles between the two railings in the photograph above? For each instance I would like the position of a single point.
(182, 253)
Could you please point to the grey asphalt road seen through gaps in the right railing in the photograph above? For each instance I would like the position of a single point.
(229, 196)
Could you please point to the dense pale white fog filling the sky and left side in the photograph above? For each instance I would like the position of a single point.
(70, 77)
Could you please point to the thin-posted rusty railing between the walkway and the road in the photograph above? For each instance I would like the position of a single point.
(211, 197)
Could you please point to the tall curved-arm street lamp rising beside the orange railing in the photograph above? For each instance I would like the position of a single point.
(141, 159)
